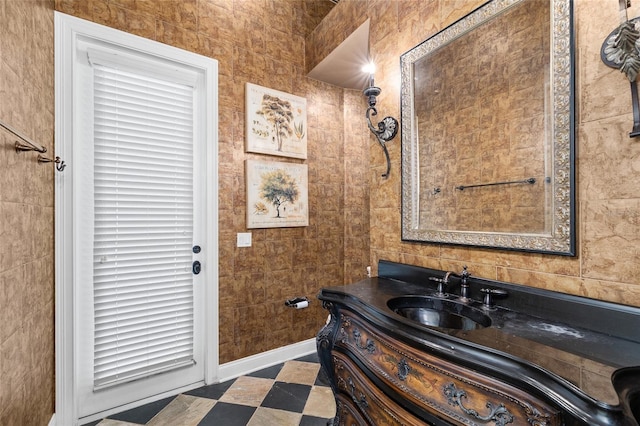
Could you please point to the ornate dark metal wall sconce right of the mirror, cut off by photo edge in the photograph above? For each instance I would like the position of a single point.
(620, 51)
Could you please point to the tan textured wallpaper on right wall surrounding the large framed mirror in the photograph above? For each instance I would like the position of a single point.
(607, 266)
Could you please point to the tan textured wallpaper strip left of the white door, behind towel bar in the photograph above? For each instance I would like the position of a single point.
(26, 215)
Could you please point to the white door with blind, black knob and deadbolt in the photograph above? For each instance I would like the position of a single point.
(141, 243)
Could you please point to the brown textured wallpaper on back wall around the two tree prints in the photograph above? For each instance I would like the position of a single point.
(263, 42)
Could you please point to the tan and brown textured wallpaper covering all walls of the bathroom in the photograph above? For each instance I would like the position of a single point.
(354, 218)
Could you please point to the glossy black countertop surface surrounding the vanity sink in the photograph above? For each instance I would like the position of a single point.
(580, 358)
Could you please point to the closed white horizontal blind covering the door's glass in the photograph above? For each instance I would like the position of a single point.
(143, 221)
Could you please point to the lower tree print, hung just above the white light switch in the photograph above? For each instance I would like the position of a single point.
(277, 194)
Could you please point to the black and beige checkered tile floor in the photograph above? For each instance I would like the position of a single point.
(295, 393)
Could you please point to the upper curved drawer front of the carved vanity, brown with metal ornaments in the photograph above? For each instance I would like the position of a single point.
(440, 387)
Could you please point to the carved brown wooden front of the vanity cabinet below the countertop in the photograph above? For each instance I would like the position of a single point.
(382, 380)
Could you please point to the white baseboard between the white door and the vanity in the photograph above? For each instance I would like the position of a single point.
(243, 366)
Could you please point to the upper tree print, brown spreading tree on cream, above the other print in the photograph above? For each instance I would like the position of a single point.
(276, 122)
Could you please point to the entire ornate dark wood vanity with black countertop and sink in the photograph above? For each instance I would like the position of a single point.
(534, 358)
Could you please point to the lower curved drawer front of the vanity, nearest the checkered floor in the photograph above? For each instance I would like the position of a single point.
(362, 402)
